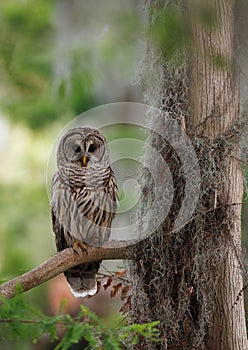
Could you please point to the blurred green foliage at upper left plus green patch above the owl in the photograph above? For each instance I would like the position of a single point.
(27, 64)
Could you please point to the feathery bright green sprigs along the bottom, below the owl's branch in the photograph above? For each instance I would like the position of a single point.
(20, 320)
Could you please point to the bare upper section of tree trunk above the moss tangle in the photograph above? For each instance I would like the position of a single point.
(215, 87)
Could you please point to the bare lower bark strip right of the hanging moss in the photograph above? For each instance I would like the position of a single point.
(228, 329)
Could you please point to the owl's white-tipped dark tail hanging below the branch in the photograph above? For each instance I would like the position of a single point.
(82, 279)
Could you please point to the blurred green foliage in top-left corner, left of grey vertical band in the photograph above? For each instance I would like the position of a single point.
(26, 60)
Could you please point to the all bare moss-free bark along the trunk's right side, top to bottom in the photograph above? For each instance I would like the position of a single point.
(215, 110)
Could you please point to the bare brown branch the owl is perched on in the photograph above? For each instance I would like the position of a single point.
(62, 261)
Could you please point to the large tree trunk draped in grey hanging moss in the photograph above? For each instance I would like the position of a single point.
(190, 278)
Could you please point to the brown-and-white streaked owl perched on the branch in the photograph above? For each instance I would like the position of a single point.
(83, 200)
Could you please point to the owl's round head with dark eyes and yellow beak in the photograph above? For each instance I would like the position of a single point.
(82, 148)
